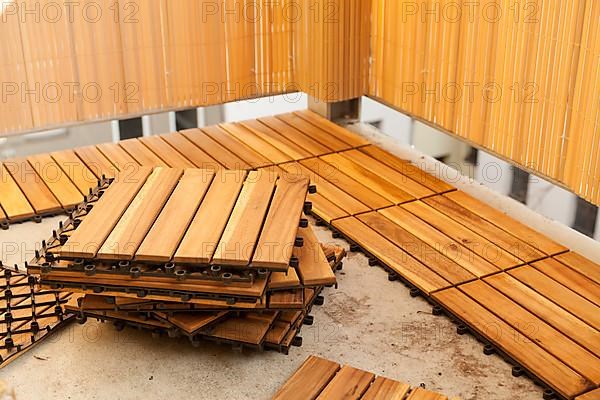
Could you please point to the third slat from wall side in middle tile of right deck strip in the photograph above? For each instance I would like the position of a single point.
(477, 244)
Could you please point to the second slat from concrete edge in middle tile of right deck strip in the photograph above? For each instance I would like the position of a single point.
(418, 249)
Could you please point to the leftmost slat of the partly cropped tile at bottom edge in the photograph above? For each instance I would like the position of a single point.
(309, 380)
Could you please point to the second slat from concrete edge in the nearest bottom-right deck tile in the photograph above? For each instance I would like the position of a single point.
(532, 328)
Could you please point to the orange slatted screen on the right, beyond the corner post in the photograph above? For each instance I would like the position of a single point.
(518, 78)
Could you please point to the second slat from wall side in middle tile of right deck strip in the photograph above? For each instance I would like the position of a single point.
(508, 242)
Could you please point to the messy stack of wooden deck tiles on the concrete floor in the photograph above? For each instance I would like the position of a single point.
(225, 256)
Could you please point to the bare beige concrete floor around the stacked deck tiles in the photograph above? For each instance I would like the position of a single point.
(368, 322)
